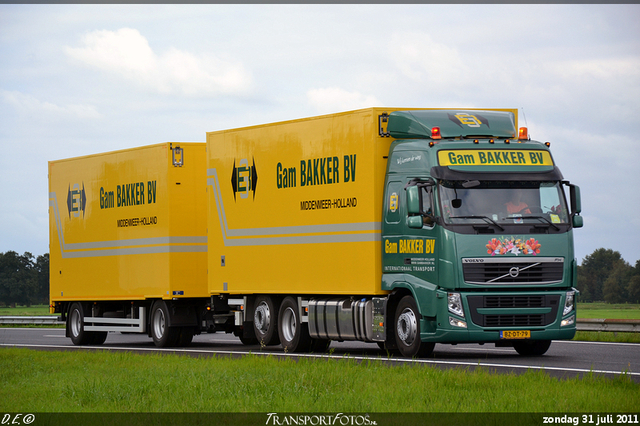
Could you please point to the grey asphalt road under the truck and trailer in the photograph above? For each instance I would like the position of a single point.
(565, 359)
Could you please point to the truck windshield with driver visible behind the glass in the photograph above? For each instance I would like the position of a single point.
(503, 203)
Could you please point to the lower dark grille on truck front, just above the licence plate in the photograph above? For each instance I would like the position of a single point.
(519, 303)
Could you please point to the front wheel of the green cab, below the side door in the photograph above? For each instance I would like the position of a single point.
(407, 330)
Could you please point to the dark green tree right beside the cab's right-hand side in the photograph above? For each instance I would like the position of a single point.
(594, 271)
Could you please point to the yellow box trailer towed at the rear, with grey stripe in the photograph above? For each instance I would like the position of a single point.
(127, 228)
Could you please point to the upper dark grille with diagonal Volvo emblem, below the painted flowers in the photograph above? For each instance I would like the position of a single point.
(513, 271)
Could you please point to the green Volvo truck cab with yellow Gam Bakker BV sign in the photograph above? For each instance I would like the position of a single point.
(477, 234)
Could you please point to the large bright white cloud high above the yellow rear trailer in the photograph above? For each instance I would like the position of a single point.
(127, 53)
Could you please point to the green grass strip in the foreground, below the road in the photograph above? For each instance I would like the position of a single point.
(37, 381)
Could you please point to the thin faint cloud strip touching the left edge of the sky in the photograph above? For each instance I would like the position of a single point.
(30, 105)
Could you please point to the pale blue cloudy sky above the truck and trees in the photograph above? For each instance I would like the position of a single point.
(83, 79)
